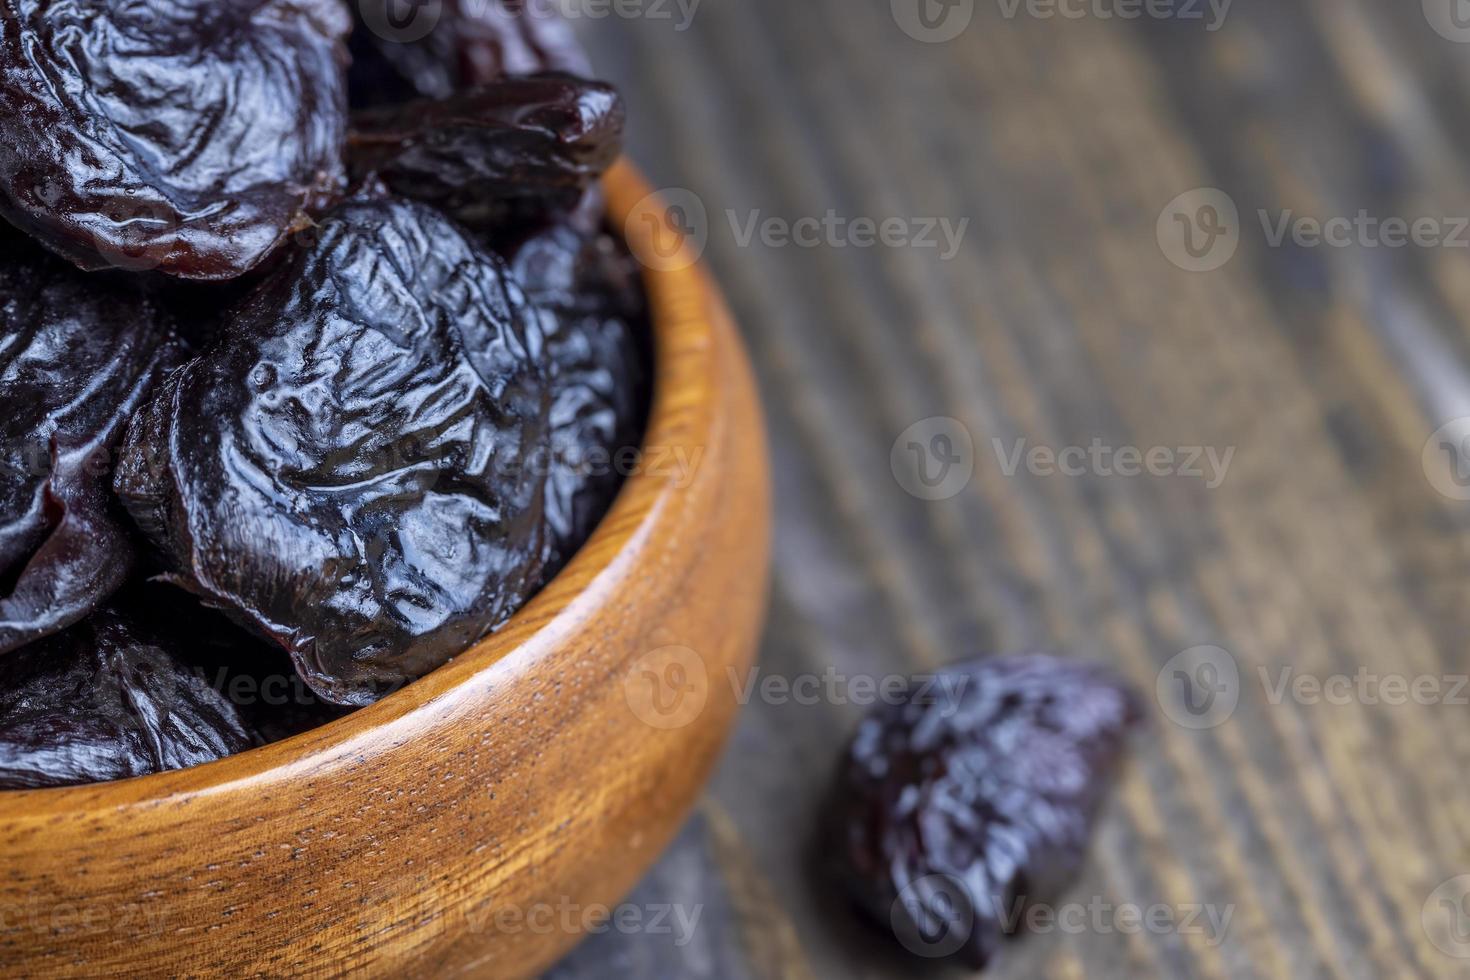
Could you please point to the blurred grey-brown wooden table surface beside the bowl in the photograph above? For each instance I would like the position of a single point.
(1331, 828)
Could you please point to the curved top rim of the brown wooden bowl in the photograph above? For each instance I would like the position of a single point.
(677, 389)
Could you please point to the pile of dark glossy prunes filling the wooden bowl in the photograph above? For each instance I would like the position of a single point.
(315, 353)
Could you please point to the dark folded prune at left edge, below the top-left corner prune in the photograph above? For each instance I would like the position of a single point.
(79, 355)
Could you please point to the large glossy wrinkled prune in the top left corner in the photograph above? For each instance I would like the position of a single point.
(182, 136)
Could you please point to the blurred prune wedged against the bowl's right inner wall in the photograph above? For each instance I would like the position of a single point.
(596, 320)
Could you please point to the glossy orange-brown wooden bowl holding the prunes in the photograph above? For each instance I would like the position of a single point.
(471, 822)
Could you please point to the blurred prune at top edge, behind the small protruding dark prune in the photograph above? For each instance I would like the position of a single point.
(433, 49)
